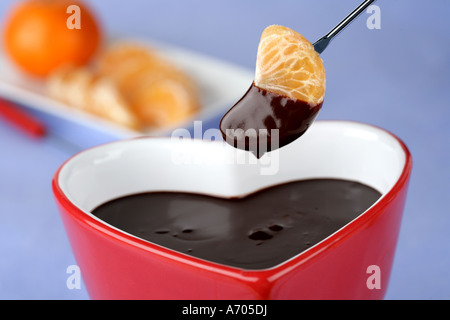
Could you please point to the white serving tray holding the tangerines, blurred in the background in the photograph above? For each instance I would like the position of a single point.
(221, 84)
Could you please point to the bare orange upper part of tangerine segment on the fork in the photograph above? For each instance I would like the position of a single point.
(287, 64)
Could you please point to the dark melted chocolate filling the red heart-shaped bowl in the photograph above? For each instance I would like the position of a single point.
(254, 232)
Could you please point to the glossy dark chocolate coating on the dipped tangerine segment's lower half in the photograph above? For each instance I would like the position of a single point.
(263, 121)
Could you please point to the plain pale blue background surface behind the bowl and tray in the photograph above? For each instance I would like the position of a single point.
(396, 77)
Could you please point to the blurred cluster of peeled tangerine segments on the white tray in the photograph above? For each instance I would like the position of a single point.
(131, 85)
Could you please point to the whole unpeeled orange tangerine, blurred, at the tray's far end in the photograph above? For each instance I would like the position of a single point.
(37, 36)
